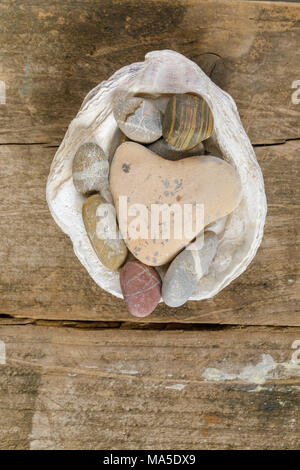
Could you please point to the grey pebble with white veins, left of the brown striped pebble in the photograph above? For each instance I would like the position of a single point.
(138, 118)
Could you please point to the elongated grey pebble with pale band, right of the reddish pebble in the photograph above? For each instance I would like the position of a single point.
(187, 269)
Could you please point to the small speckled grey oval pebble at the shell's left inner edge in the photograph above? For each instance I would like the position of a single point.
(90, 169)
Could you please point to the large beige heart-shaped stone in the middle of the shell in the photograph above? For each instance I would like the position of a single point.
(140, 176)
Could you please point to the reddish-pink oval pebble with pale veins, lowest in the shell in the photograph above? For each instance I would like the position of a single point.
(141, 288)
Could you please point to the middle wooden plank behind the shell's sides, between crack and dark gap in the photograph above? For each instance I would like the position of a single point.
(40, 277)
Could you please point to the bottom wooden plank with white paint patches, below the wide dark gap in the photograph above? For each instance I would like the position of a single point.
(216, 389)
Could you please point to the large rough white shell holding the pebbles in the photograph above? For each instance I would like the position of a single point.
(162, 73)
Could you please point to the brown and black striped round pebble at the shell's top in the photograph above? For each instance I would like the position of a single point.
(188, 121)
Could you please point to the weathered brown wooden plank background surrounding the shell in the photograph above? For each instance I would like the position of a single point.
(79, 372)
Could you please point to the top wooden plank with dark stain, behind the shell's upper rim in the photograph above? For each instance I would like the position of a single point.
(53, 53)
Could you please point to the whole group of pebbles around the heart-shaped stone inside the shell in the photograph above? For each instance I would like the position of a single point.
(160, 160)
